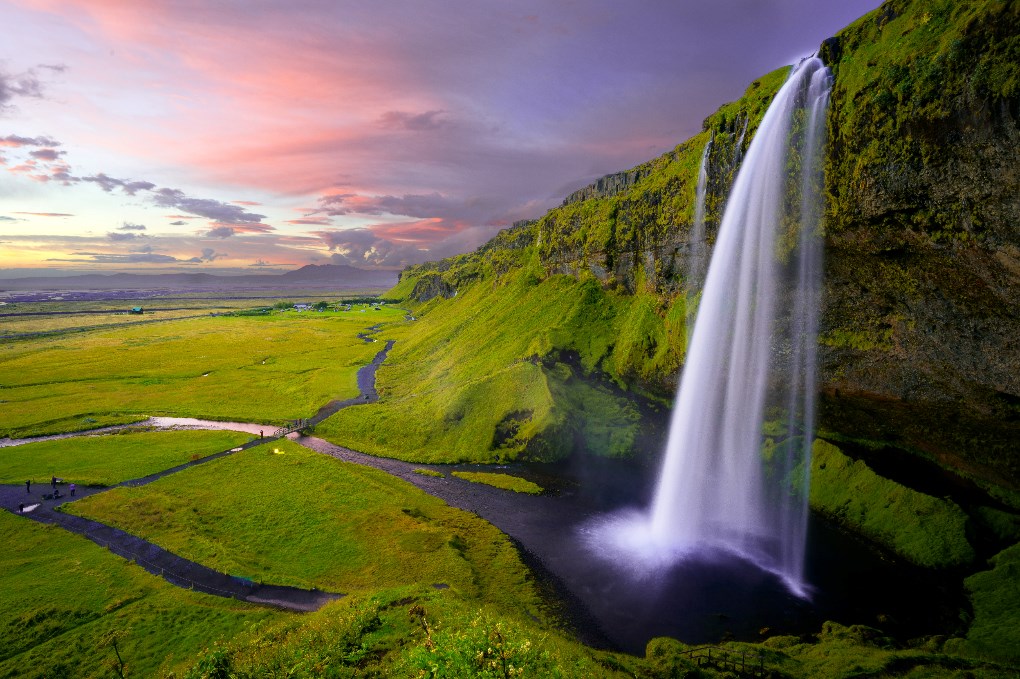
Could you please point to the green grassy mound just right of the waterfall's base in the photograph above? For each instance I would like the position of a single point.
(929, 532)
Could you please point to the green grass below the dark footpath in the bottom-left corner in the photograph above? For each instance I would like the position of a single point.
(63, 598)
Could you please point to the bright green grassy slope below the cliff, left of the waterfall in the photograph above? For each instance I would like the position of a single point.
(504, 388)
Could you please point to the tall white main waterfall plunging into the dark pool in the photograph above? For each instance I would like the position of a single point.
(721, 489)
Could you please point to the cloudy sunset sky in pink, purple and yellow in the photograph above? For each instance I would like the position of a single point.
(248, 136)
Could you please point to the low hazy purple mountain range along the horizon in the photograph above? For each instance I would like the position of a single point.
(331, 276)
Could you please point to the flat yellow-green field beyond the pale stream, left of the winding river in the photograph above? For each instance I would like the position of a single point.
(265, 370)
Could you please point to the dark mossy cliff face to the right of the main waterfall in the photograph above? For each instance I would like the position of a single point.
(922, 341)
